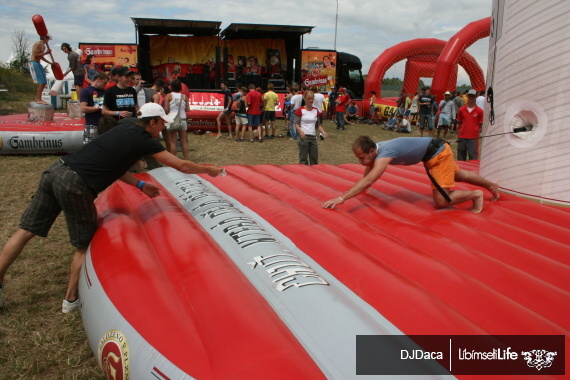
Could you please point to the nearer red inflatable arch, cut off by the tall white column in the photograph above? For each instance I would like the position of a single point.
(453, 50)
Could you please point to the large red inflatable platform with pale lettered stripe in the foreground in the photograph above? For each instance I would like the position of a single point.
(247, 277)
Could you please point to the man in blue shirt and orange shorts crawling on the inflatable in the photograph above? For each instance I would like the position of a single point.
(439, 162)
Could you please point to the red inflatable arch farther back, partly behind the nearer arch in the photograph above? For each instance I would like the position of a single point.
(420, 50)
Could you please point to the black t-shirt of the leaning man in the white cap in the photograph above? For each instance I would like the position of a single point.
(105, 159)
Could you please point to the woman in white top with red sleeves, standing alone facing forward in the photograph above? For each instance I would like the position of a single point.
(307, 123)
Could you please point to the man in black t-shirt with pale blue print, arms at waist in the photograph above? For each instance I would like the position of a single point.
(120, 100)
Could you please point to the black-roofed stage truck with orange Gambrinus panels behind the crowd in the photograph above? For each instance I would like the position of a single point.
(202, 55)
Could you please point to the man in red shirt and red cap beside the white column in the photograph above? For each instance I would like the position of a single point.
(470, 120)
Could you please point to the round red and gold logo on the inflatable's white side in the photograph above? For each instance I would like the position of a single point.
(114, 355)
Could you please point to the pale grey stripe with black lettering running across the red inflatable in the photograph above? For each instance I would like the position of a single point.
(321, 312)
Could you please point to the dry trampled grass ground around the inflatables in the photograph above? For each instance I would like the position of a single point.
(37, 341)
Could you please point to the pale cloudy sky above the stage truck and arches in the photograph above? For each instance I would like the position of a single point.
(365, 27)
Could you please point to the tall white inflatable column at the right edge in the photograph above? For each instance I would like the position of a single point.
(529, 75)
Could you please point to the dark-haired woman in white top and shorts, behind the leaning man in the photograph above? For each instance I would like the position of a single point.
(177, 103)
